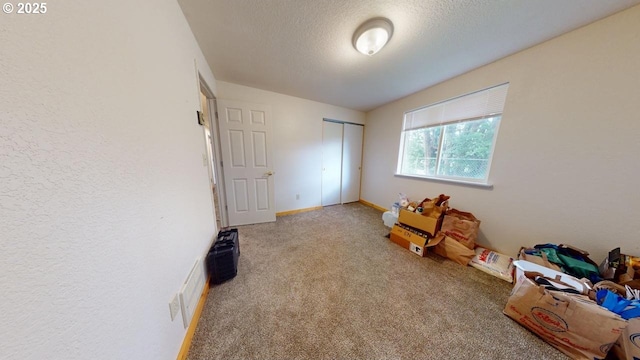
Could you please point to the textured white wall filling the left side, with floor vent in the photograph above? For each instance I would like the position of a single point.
(104, 200)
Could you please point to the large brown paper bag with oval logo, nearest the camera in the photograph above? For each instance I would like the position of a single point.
(573, 324)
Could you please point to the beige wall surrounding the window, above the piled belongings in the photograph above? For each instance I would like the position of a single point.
(565, 168)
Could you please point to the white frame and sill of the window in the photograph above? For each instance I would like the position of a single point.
(480, 182)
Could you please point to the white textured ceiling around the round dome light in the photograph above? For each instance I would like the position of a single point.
(303, 47)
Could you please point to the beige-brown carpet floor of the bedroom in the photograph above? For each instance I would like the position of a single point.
(328, 284)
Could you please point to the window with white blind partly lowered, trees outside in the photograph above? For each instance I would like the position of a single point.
(453, 139)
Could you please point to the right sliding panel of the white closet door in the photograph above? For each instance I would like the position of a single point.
(351, 162)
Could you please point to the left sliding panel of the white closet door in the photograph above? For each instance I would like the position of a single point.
(331, 162)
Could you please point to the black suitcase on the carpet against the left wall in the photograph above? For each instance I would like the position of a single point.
(222, 259)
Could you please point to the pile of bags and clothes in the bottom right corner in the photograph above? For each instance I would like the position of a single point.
(583, 310)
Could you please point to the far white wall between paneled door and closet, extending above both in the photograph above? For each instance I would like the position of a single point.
(297, 139)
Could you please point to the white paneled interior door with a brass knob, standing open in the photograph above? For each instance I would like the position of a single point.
(246, 144)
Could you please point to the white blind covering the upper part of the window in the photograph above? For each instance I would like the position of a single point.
(477, 105)
